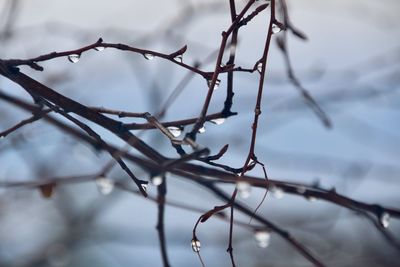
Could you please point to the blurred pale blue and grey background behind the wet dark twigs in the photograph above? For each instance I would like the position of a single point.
(350, 64)
